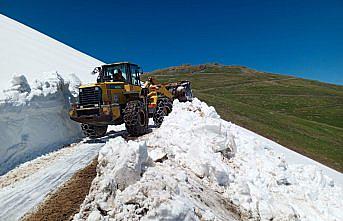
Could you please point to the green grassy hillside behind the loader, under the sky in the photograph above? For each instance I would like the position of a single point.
(303, 115)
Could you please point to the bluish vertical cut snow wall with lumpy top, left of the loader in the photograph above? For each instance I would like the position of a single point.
(34, 119)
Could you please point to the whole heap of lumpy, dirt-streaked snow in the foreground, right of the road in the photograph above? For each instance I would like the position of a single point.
(200, 167)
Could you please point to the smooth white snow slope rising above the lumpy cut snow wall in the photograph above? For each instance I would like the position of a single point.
(26, 51)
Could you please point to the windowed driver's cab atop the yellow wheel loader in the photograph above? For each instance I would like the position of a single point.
(119, 72)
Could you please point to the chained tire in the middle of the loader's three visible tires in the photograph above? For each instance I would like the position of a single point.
(136, 118)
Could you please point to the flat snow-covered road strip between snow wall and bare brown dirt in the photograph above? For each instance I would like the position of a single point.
(26, 186)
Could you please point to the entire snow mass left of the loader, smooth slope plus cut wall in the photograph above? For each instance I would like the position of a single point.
(33, 115)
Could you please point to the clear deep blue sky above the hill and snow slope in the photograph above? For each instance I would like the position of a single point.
(302, 38)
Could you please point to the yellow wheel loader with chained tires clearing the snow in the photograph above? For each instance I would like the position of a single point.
(119, 97)
